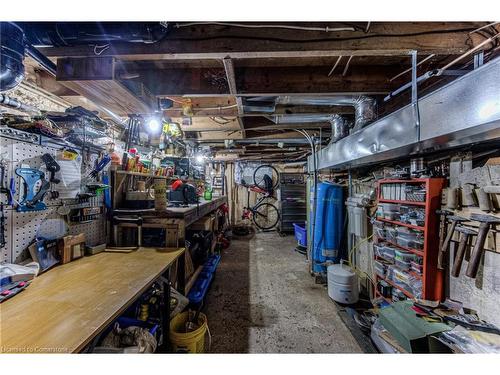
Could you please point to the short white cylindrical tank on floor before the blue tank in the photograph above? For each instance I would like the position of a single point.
(342, 284)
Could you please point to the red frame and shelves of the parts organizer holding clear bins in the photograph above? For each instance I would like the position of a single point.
(432, 277)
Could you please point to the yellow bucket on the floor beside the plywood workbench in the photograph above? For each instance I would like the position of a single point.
(192, 342)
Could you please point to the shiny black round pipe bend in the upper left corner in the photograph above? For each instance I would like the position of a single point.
(11, 56)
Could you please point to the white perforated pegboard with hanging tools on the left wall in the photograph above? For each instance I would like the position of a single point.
(21, 227)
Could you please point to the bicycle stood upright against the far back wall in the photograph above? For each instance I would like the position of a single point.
(265, 215)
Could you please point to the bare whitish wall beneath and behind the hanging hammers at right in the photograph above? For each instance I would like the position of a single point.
(483, 293)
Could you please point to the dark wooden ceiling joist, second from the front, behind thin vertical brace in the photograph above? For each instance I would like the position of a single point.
(270, 81)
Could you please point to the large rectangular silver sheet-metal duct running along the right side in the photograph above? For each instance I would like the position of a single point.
(463, 112)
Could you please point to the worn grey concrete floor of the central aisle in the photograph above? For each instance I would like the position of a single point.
(263, 300)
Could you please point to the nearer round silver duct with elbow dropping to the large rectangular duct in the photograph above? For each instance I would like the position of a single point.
(365, 108)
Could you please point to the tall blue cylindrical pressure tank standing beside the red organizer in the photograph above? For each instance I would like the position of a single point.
(329, 226)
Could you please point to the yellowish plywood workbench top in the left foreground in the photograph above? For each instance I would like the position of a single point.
(64, 308)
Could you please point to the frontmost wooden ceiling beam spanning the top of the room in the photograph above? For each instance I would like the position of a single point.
(215, 42)
